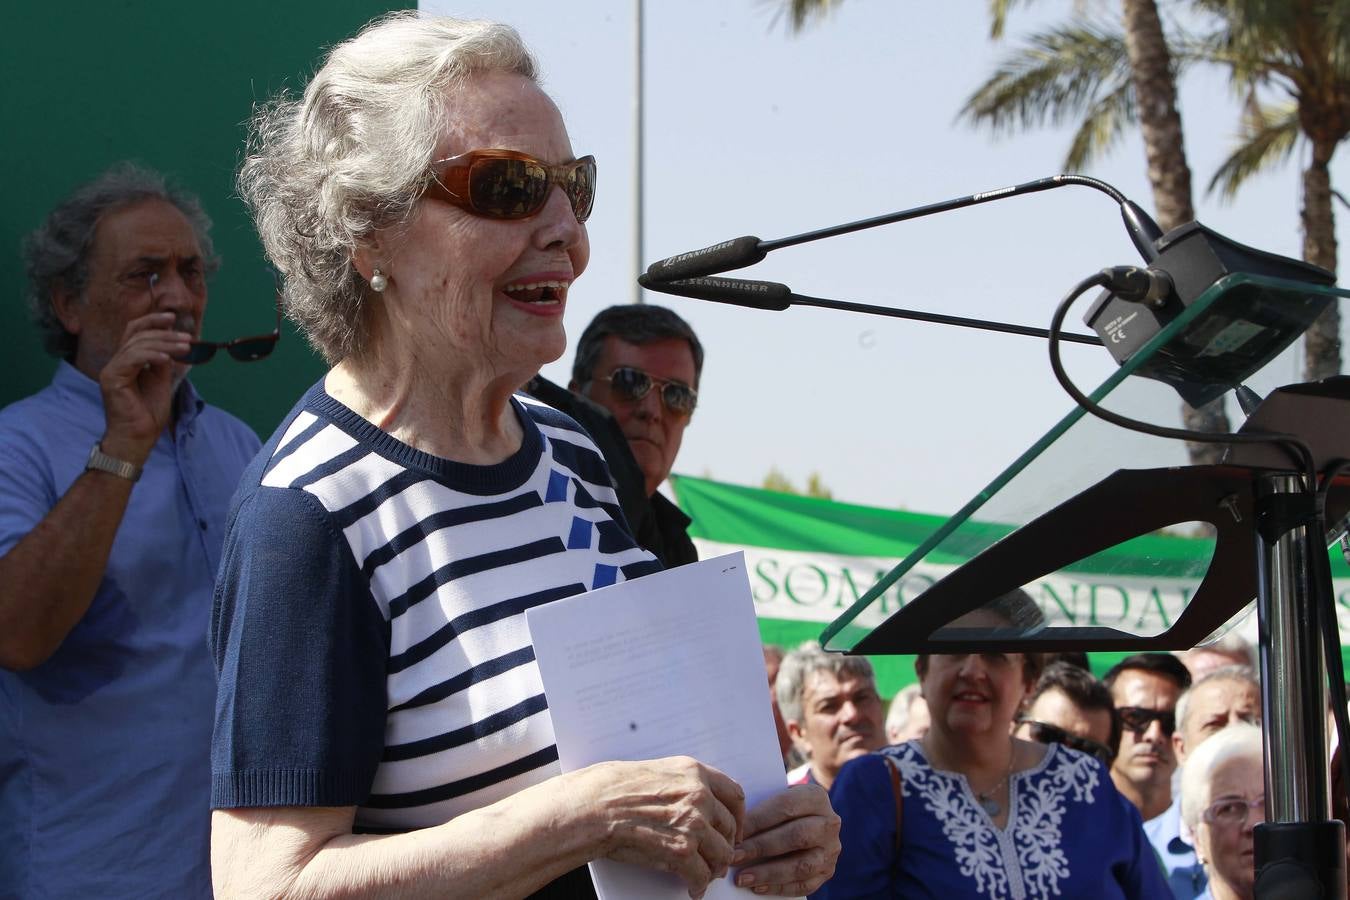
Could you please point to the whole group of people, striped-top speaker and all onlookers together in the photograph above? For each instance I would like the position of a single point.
(302, 667)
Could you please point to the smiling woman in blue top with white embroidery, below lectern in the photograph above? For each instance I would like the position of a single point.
(986, 814)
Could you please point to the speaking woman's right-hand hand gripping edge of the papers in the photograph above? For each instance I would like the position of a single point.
(792, 843)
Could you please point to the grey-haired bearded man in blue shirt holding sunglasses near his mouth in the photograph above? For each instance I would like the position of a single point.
(114, 488)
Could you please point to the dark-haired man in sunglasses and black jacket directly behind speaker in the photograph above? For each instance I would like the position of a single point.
(642, 364)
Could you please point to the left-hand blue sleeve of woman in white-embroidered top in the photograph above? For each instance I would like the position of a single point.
(865, 801)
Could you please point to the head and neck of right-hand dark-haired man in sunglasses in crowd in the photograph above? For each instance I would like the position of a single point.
(1145, 689)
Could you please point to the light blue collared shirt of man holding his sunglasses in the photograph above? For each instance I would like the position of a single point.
(105, 748)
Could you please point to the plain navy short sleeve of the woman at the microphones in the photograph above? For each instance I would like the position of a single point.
(300, 651)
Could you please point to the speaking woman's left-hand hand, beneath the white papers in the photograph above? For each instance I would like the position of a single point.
(677, 816)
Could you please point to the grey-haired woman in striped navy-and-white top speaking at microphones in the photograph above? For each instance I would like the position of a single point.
(381, 728)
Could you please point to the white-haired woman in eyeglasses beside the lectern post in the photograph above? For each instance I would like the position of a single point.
(1222, 801)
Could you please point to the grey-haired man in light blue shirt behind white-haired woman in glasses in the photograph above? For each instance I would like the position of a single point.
(1221, 698)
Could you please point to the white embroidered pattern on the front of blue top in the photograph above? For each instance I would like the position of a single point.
(1037, 798)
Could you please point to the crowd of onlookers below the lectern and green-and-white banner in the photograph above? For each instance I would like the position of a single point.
(1023, 777)
